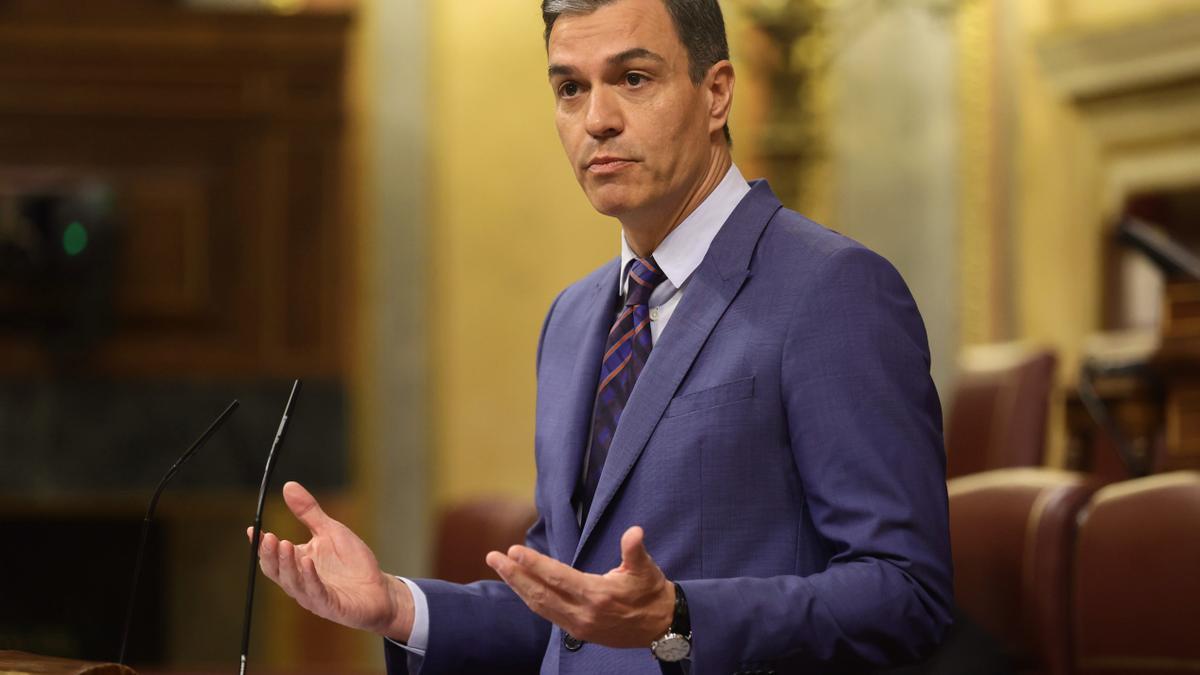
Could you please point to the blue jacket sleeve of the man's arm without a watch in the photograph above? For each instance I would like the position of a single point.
(482, 628)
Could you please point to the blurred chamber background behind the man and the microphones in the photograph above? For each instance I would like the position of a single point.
(202, 200)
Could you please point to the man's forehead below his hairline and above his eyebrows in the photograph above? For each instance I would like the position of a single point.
(614, 29)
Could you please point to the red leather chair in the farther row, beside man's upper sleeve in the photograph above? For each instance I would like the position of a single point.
(998, 415)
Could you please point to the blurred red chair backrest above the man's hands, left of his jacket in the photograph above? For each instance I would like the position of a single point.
(469, 530)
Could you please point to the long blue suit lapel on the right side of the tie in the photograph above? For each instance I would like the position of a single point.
(710, 292)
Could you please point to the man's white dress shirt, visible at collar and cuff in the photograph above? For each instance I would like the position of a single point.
(677, 256)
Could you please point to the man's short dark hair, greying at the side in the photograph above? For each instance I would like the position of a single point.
(699, 25)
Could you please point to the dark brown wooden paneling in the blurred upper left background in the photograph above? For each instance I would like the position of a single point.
(220, 138)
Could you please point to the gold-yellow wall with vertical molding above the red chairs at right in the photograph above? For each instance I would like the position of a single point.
(1041, 182)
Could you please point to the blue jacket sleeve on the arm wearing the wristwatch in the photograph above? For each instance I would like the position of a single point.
(865, 426)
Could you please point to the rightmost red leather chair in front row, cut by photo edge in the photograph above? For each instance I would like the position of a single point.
(1137, 593)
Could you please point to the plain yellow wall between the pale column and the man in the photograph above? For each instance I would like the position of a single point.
(509, 230)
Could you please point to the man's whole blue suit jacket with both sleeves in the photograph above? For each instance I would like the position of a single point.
(783, 450)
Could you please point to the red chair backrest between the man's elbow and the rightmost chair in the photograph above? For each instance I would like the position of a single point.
(1012, 534)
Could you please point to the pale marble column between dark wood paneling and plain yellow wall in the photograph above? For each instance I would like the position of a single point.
(391, 354)
